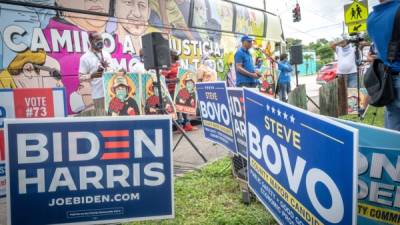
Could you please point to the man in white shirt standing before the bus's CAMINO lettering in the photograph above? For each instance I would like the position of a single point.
(91, 68)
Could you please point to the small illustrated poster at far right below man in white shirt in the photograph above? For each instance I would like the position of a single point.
(352, 100)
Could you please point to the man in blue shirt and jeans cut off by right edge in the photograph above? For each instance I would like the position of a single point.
(380, 27)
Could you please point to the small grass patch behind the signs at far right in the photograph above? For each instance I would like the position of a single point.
(374, 117)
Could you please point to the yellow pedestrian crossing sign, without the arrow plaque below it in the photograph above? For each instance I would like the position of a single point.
(356, 12)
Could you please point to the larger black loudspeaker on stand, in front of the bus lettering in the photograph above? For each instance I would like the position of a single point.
(156, 53)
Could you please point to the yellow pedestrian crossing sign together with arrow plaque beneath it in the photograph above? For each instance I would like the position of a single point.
(355, 16)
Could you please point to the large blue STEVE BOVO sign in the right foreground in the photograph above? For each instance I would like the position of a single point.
(302, 167)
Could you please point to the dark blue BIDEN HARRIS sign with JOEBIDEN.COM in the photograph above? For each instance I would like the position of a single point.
(89, 170)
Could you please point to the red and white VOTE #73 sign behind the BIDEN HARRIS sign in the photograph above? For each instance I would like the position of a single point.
(27, 103)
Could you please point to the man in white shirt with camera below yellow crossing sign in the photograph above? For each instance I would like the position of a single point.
(347, 67)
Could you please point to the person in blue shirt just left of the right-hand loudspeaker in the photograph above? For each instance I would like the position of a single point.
(285, 73)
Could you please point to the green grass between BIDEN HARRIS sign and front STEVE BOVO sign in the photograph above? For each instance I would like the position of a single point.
(213, 196)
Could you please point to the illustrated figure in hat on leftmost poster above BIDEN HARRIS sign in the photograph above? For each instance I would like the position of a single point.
(122, 93)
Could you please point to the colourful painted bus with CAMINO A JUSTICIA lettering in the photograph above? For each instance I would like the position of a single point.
(42, 40)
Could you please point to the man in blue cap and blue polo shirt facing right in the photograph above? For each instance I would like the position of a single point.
(246, 75)
